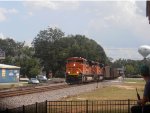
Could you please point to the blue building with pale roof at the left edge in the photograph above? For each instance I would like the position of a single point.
(9, 73)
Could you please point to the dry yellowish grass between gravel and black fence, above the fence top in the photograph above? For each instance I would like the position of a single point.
(114, 92)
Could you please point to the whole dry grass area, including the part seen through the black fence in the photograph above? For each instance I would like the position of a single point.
(123, 91)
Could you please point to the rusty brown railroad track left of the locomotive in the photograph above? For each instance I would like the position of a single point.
(31, 90)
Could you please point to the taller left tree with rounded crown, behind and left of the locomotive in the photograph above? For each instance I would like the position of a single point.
(46, 49)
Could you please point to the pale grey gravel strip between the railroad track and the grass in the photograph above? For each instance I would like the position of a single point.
(17, 101)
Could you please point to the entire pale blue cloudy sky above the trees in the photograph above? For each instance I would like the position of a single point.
(120, 27)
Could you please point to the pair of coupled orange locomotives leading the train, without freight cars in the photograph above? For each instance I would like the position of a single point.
(80, 70)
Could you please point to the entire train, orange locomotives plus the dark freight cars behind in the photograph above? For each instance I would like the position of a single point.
(79, 70)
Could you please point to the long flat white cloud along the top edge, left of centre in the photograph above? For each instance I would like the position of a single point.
(51, 5)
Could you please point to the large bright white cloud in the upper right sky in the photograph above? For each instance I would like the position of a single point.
(119, 14)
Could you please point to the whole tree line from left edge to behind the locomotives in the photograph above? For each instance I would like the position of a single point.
(49, 51)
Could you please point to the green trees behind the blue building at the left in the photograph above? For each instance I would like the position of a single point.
(20, 55)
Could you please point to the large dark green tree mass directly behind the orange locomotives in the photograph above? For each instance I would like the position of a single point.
(52, 48)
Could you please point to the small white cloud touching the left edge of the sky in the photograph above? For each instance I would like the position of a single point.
(4, 12)
